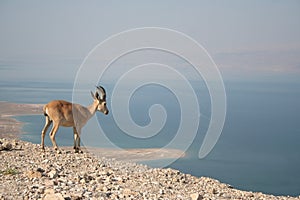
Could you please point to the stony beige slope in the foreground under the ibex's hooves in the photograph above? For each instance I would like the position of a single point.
(26, 172)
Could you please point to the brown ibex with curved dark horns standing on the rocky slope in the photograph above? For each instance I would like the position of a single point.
(63, 113)
